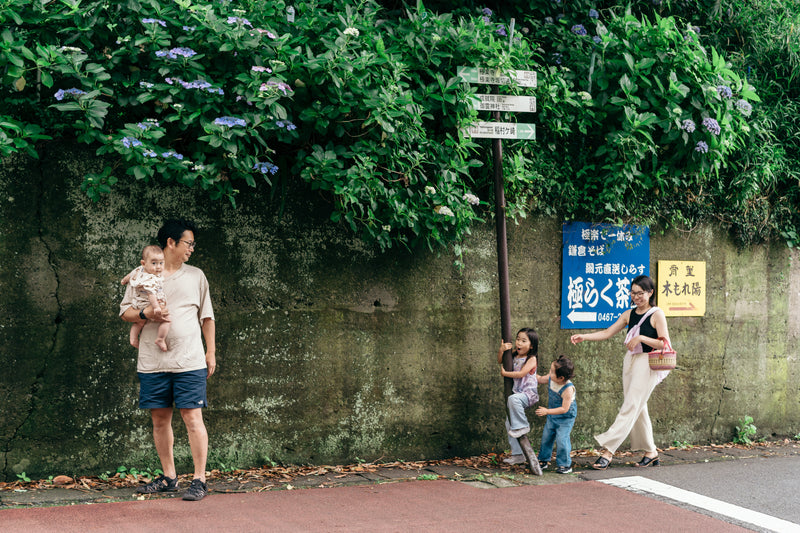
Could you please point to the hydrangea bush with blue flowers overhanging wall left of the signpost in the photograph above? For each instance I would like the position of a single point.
(220, 94)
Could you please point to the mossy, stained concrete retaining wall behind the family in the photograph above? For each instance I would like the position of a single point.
(329, 351)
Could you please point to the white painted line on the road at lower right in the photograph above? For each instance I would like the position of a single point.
(641, 484)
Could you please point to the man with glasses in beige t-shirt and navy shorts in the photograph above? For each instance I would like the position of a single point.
(178, 376)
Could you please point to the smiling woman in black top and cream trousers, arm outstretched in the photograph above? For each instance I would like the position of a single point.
(647, 331)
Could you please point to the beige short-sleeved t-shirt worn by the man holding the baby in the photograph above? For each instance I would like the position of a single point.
(189, 303)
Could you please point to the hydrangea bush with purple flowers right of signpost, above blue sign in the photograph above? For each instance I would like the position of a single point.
(659, 114)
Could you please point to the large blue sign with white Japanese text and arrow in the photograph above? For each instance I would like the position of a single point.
(599, 263)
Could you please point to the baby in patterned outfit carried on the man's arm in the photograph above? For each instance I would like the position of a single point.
(146, 282)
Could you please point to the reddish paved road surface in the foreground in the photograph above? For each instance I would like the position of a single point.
(428, 506)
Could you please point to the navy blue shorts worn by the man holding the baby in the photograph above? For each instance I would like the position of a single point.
(187, 390)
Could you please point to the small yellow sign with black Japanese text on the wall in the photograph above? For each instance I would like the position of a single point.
(682, 288)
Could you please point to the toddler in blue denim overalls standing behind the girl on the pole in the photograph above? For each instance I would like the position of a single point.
(561, 411)
